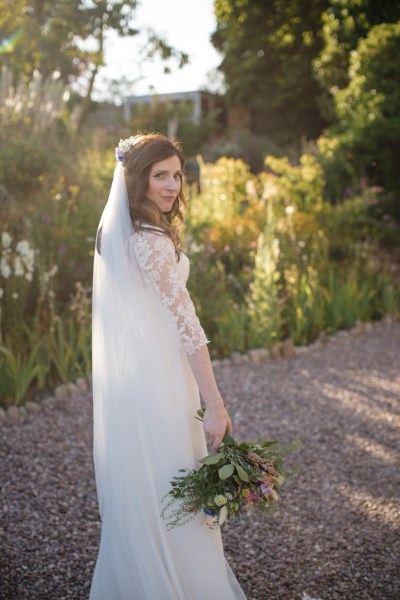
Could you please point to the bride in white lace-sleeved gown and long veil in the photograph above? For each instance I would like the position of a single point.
(150, 359)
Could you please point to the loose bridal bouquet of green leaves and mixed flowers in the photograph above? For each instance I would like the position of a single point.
(236, 478)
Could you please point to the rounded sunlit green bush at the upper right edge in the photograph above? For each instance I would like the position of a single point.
(366, 141)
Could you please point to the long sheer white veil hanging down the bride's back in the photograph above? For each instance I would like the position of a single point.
(128, 348)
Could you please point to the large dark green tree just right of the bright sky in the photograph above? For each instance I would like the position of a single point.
(268, 49)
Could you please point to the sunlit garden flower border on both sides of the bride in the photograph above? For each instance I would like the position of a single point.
(271, 259)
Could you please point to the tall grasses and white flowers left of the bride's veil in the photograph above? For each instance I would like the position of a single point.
(50, 206)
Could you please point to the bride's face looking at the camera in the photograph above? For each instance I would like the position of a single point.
(165, 182)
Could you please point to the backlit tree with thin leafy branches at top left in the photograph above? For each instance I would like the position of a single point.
(68, 36)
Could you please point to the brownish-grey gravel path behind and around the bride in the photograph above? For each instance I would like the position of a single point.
(337, 535)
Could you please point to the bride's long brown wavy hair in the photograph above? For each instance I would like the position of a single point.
(147, 149)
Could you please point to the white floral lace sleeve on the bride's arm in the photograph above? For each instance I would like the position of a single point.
(155, 254)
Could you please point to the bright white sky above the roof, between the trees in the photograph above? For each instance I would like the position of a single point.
(185, 24)
